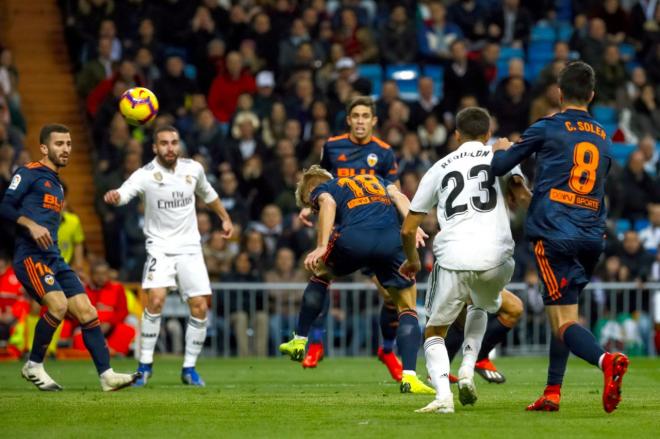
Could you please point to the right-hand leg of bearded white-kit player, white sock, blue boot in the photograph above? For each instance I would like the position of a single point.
(195, 337)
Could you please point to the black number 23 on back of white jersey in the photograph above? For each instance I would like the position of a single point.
(487, 185)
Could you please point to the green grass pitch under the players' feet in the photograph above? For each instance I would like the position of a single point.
(343, 398)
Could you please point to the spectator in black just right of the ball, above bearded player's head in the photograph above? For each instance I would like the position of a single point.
(173, 88)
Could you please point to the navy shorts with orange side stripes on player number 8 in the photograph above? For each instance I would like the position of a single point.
(565, 268)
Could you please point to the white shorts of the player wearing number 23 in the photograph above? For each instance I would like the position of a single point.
(449, 291)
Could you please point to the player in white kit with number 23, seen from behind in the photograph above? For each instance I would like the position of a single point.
(474, 251)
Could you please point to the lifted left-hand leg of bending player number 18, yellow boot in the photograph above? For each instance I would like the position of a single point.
(314, 298)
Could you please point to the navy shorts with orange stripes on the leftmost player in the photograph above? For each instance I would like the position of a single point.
(41, 274)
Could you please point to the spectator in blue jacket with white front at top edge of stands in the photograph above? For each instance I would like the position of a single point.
(435, 36)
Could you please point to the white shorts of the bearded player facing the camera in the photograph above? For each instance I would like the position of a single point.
(187, 272)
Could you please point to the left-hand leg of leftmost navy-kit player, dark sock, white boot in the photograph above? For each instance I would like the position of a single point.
(33, 370)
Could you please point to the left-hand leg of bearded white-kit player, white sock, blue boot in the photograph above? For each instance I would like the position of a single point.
(149, 330)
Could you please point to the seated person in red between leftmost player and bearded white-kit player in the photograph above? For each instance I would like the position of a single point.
(109, 299)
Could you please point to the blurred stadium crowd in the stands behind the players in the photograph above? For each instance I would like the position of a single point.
(256, 87)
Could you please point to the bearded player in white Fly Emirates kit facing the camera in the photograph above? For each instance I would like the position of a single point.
(168, 186)
